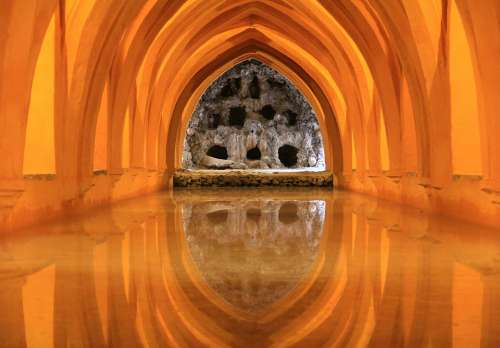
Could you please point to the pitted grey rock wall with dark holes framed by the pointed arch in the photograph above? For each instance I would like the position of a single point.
(253, 117)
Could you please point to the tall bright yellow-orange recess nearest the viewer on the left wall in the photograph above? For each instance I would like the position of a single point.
(39, 151)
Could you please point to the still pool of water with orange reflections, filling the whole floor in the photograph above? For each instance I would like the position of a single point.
(251, 268)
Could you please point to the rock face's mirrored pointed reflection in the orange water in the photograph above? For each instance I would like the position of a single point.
(253, 252)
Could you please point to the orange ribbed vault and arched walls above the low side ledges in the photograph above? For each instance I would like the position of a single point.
(399, 86)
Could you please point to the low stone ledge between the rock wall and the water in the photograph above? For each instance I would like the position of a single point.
(252, 178)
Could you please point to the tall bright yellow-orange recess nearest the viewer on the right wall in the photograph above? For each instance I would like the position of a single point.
(466, 147)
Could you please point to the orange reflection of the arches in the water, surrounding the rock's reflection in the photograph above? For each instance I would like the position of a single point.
(371, 285)
